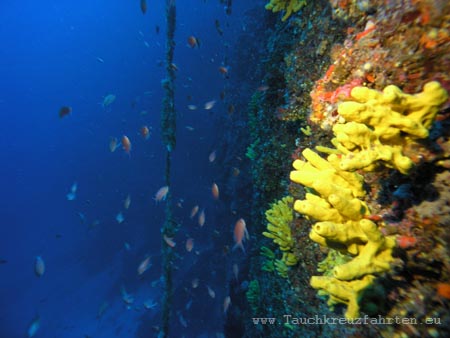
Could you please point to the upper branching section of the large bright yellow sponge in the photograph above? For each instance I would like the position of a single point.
(379, 124)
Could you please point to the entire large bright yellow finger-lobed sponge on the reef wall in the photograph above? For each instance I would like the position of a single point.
(375, 127)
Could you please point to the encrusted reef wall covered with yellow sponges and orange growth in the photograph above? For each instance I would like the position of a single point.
(357, 97)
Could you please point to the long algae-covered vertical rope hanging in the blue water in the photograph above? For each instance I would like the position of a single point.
(168, 127)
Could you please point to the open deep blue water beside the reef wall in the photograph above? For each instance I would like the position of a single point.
(67, 53)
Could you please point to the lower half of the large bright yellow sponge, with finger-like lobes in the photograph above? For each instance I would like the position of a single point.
(342, 226)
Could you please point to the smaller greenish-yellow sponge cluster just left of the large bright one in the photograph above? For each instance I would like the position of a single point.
(279, 217)
